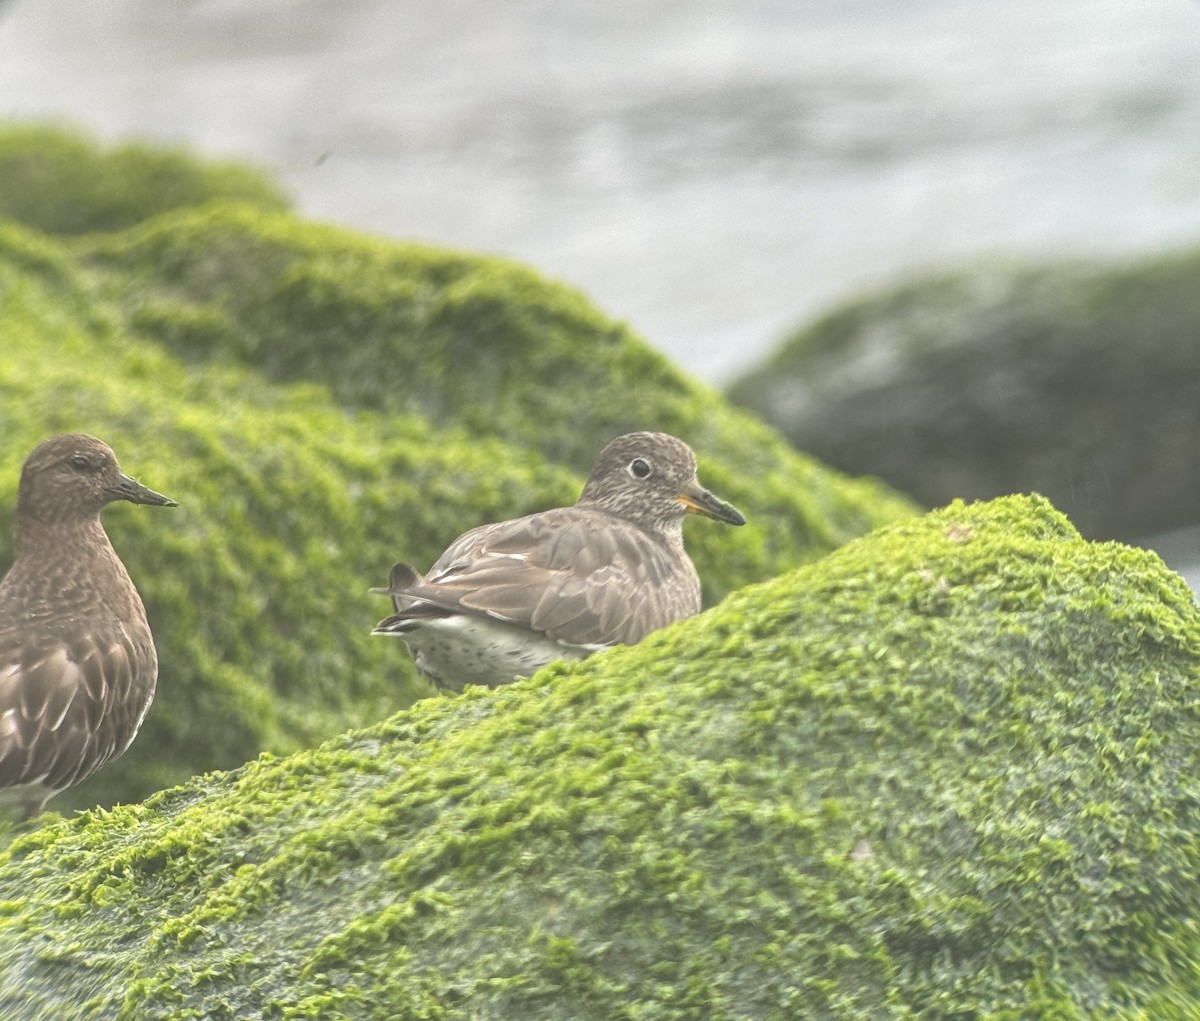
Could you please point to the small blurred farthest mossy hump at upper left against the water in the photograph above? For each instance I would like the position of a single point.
(62, 183)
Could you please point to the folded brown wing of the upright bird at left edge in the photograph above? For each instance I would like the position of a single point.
(69, 705)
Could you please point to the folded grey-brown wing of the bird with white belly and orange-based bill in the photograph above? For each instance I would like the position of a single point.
(565, 574)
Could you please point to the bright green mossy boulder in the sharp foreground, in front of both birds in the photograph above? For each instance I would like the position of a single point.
(950, 772)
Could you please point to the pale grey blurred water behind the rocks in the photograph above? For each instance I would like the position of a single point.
(715, 173)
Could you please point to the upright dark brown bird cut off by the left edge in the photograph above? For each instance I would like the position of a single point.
(77, 662)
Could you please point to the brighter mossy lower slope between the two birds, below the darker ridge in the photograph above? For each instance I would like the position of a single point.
(257, 585)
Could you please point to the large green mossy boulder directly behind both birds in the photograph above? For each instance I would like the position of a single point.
(269, 375)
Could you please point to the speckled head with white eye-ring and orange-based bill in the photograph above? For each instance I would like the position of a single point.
(650, 478)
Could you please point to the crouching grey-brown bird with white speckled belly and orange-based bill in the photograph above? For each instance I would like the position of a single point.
(507, 599)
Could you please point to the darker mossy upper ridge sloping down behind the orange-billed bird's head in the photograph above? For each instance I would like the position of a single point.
(478, 344)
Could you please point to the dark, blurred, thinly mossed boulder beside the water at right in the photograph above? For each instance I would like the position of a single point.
(1079, 382)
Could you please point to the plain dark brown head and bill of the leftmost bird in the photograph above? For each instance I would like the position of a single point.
(74, 477)
